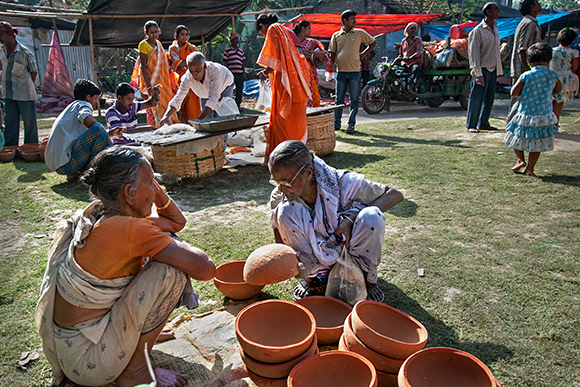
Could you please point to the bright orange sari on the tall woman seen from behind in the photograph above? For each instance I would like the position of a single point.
(290, 82)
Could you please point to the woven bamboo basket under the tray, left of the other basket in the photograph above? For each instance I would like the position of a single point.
(189, 165)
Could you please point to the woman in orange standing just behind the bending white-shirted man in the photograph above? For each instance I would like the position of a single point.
(178, 52)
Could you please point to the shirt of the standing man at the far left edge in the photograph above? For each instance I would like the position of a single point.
(17, 83)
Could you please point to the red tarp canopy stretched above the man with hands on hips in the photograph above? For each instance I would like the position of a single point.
(325, 24)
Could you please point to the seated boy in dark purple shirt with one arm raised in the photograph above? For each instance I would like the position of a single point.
(122, 115)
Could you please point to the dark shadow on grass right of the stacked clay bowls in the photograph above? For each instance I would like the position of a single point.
(440, 334)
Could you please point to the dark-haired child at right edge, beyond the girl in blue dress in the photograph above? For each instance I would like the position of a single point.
(565, 62)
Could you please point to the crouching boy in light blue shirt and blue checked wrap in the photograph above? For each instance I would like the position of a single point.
(76, 137)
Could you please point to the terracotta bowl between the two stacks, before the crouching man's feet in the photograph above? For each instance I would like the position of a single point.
(330, 315)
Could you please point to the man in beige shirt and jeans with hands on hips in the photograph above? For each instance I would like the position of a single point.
(344, 50)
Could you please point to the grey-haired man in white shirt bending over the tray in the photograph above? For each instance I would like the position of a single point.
(210, 81)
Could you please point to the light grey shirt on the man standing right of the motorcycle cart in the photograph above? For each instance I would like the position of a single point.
(484, 49)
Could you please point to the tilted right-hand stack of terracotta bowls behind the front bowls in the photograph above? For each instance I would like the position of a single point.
(383, 335)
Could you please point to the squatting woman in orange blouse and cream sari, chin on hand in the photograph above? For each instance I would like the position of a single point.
(101, 302)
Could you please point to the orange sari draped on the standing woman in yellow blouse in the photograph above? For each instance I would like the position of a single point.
(159, 74)
